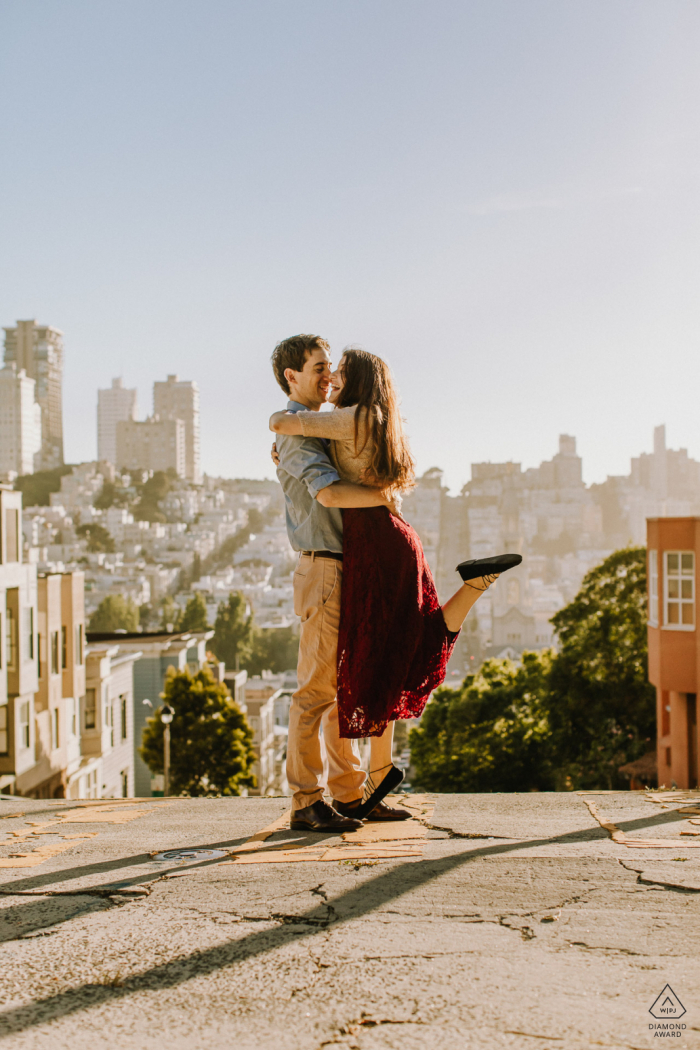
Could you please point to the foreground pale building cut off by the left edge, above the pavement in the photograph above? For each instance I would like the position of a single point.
(18, 648)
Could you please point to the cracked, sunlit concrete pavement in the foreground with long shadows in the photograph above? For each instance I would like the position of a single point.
(524, 923)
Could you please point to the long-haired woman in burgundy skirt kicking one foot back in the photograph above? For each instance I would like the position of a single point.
(395, 639)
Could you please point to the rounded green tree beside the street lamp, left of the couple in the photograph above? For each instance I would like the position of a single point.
(211, 751)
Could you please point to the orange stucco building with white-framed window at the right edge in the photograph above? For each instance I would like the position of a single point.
(673, 549)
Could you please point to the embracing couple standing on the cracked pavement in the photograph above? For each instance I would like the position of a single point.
(374, 641)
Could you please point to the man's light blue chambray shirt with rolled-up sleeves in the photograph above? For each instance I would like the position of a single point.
(305, 470)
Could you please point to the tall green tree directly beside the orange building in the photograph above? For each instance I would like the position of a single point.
(602, 706)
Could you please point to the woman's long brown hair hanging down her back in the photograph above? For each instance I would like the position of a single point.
(370, 386)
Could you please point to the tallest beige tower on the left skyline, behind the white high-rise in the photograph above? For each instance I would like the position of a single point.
(38, 350)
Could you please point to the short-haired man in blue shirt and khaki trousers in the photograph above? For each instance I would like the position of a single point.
(314, 495)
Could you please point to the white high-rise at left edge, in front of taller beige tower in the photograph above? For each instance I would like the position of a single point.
(20, 423)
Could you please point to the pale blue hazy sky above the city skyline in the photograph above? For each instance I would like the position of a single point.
(501, 198)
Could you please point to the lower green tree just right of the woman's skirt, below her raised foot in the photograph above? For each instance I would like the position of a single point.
(491, 736)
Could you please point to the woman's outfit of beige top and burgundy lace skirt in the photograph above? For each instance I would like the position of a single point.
(393, 644)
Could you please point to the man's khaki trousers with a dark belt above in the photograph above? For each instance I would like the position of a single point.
(317, 603)
